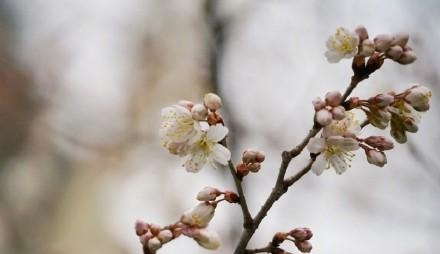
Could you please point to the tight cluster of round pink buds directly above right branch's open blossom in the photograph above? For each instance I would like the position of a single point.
(330, 109)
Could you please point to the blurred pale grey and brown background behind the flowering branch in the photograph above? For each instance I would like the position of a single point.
(82, 84)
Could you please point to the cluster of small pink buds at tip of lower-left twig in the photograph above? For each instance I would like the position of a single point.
(152, 237)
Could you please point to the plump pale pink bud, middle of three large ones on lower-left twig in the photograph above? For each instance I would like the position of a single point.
(199, 216)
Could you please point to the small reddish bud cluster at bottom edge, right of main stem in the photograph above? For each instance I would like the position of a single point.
(299, 236)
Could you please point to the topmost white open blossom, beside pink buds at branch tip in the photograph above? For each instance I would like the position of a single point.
(342, 44)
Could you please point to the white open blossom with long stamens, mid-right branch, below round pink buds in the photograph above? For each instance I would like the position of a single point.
(335, 145)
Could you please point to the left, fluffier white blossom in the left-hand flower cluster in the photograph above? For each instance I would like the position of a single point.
(176, 129)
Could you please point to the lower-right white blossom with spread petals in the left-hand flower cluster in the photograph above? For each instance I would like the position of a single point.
(204, 148)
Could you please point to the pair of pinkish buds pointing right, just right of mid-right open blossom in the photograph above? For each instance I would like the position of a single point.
(374, 147)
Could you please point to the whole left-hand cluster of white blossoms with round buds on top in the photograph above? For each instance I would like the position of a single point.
(195, 131)
